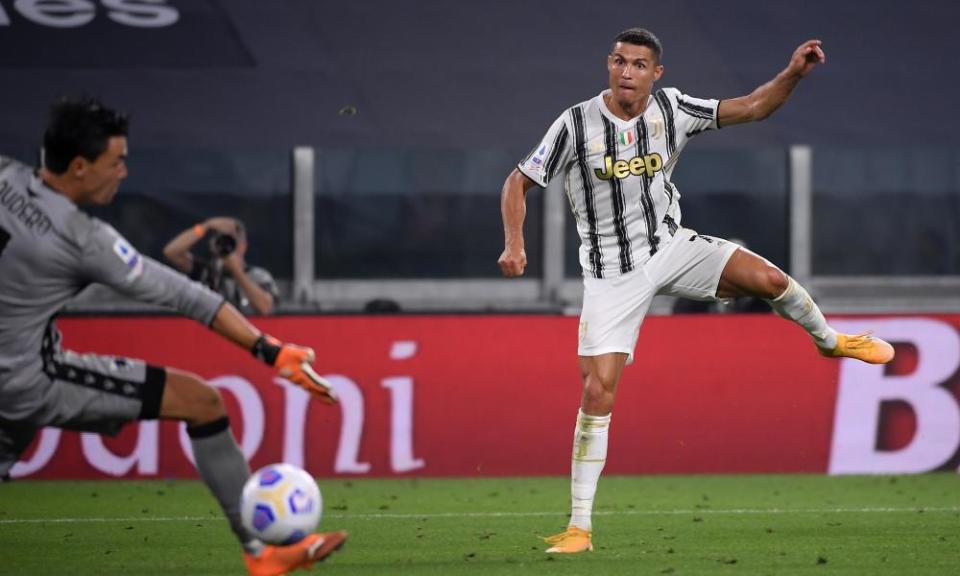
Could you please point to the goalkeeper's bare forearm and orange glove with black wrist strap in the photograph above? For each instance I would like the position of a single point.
(289, 360)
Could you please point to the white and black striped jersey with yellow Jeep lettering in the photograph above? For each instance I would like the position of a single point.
(617, 174)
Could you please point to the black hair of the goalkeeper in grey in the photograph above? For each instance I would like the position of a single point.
(79, 127)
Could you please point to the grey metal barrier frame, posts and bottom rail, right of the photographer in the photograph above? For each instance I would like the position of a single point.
(552, 291)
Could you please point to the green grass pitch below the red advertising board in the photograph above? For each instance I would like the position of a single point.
(762, 524)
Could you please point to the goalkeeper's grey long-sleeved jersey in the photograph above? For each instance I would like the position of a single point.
(49, 251)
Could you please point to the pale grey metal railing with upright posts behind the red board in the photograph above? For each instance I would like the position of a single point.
(555, 288)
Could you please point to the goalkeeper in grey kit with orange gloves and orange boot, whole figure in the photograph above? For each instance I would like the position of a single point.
(49, 251)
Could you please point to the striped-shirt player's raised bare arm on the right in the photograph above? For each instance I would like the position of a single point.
(763, 101)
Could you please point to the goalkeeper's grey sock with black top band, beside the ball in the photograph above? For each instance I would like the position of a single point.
(224, 470)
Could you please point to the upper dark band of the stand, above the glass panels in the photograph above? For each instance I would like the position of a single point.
(482, 73)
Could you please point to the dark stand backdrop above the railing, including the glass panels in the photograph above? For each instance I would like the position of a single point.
(418, 110)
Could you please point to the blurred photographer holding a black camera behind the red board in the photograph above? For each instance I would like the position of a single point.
(250, 288)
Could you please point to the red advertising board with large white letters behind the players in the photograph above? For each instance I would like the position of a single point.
(498, 395)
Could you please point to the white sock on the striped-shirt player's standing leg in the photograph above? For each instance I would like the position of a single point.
(589, 456)
